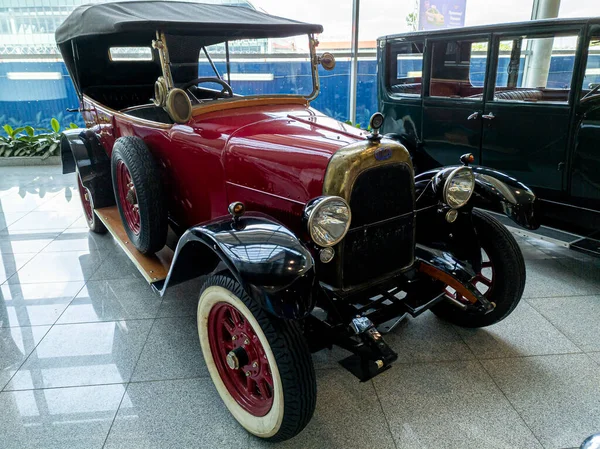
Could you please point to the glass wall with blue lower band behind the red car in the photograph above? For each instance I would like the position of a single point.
(35, 86)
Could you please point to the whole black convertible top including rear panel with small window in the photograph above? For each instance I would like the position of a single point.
(86, 36)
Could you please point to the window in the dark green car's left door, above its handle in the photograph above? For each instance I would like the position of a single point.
(458, 69)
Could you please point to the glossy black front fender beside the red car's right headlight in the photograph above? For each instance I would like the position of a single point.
(495, 191)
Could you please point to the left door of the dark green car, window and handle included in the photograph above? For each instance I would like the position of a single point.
(454, 101)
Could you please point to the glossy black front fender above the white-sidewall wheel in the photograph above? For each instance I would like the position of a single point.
(268, 260)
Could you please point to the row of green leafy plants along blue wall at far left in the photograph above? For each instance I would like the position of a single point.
(23, 141)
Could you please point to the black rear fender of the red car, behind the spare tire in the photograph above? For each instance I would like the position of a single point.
(80, 150)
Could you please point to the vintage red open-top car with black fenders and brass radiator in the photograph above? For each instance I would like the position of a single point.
(310, 233)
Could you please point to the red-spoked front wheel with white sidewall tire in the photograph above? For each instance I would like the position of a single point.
(261, 366)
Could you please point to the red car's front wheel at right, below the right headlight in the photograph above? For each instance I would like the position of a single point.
(501, 278)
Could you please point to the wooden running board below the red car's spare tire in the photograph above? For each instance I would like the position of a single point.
(153, 267)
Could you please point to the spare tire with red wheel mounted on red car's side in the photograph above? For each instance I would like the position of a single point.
(139, 194)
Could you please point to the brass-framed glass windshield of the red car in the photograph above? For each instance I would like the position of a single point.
(261, 66)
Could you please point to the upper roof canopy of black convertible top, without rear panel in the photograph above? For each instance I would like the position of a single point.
(217, 21)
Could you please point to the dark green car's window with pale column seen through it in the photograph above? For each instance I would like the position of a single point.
(535, 69)
